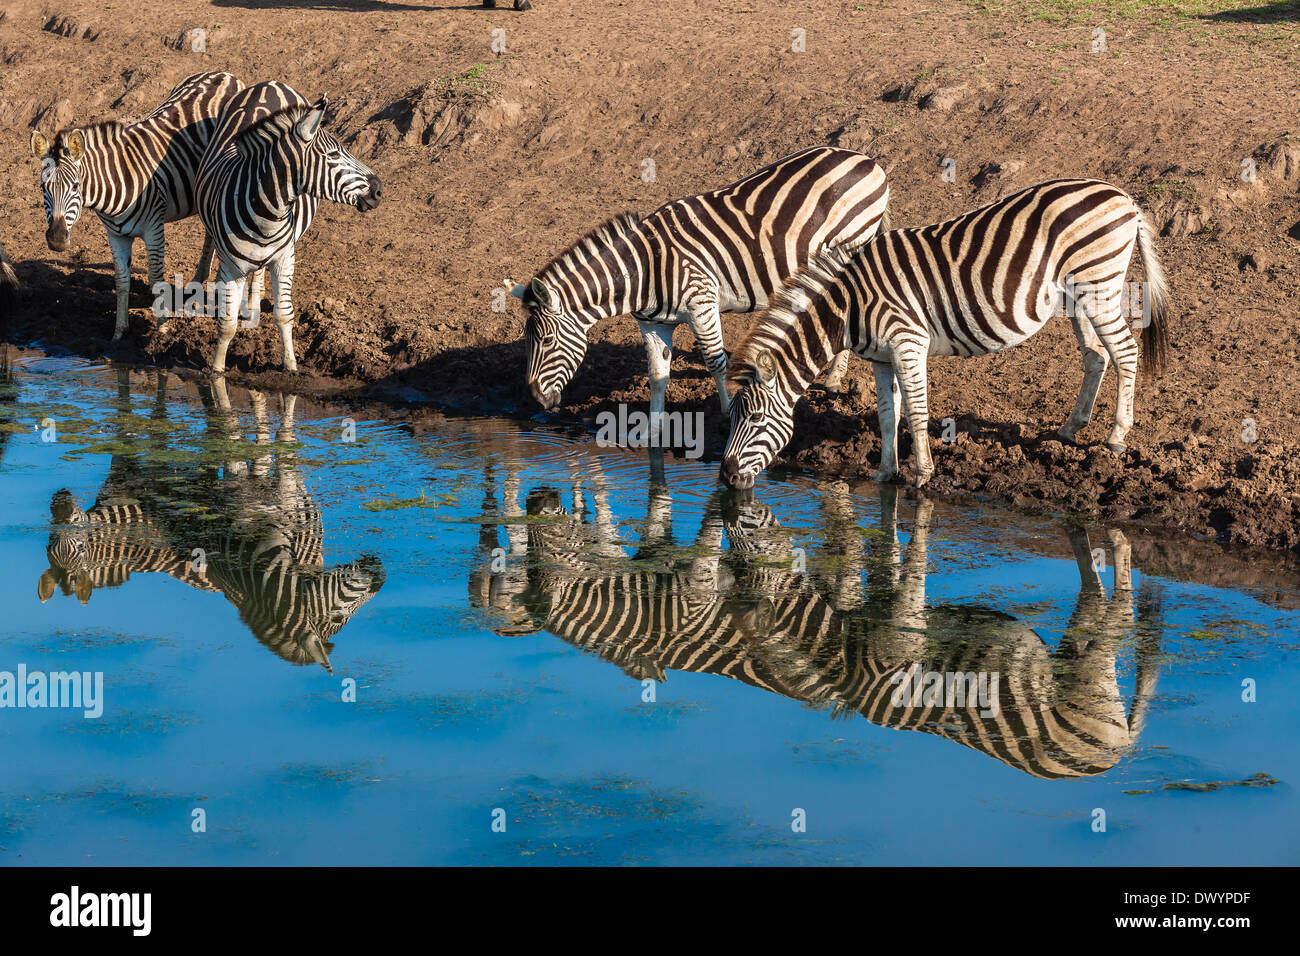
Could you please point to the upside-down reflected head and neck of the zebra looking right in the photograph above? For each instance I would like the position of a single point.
(300, 617)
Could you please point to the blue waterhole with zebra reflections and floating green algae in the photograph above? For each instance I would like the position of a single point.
(483, 732)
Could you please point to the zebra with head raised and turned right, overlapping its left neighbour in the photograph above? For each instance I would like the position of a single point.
(270, 165)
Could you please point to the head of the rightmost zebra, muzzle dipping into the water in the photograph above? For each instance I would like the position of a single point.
(762, 423)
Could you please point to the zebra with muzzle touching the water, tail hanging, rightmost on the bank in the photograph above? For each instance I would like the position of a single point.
(972, 285)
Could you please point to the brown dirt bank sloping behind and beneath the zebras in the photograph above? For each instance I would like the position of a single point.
(493, 163)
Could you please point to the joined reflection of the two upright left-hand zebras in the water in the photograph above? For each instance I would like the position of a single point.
(259, 539)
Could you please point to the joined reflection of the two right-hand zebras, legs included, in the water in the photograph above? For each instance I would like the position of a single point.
(820, 637)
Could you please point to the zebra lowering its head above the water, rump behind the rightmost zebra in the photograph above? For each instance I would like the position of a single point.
(696, 258)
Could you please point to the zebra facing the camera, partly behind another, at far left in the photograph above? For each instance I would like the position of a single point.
(137, 178)
